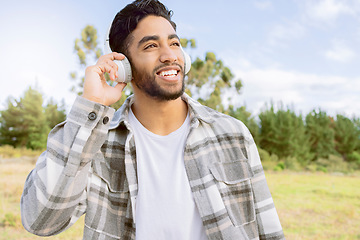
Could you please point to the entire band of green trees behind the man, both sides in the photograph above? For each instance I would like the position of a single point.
(285, 139)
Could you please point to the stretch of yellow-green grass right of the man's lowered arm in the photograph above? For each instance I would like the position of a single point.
(317, 205)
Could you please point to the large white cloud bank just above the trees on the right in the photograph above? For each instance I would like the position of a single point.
(304, 91)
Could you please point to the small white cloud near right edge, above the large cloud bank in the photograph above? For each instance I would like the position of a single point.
(340, 52)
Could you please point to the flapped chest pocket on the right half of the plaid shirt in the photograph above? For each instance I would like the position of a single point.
(233, 182)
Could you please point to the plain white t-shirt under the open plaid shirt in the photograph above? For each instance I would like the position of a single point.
(165, 208)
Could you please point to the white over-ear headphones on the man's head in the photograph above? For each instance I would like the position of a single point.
(124, 67)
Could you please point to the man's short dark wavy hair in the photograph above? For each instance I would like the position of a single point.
(128, 18)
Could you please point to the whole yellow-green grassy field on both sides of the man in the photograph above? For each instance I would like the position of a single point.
(310, 205)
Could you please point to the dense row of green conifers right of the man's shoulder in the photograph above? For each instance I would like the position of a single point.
(315, 141)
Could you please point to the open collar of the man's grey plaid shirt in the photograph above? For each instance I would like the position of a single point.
(197, 112)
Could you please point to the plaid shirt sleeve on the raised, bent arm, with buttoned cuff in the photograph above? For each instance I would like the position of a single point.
(54, 195)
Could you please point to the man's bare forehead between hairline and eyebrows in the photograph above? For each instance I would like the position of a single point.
(152, 26)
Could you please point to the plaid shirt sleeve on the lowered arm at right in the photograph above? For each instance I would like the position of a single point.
(266, 216)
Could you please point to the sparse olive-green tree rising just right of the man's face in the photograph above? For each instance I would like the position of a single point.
(207, 82)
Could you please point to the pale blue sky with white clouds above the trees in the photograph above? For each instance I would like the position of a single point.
(304, 53)
